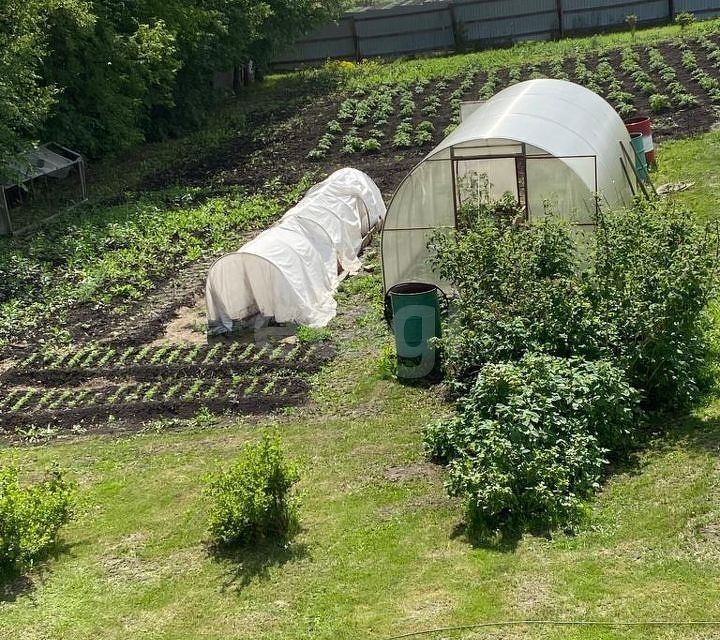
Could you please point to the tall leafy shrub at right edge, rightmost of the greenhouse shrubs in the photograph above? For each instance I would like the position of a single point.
(652, 274)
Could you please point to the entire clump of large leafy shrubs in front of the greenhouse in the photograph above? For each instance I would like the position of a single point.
(552, 351)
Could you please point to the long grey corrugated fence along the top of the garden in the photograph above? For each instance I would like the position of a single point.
(407, 27)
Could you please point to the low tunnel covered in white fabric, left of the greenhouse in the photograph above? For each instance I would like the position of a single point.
(290, 271)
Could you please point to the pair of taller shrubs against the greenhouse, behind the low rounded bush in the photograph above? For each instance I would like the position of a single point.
(639, 299)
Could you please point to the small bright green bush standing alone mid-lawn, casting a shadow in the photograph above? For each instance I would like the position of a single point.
(252, 500)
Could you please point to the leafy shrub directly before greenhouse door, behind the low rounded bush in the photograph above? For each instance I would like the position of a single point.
(515, 293)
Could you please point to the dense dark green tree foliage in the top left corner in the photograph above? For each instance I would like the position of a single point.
(102, 75)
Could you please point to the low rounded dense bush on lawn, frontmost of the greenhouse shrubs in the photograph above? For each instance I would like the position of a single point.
(530, 441)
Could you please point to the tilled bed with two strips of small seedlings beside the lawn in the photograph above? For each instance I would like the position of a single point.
(86, 387)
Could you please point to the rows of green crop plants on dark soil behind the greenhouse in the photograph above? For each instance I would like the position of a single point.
(407, 115)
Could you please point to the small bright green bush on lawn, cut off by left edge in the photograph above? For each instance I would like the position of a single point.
(31, 516)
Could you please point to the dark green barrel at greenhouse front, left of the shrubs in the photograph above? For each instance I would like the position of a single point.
(413, 310)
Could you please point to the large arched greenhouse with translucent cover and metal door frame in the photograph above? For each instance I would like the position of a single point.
(567, 138)
